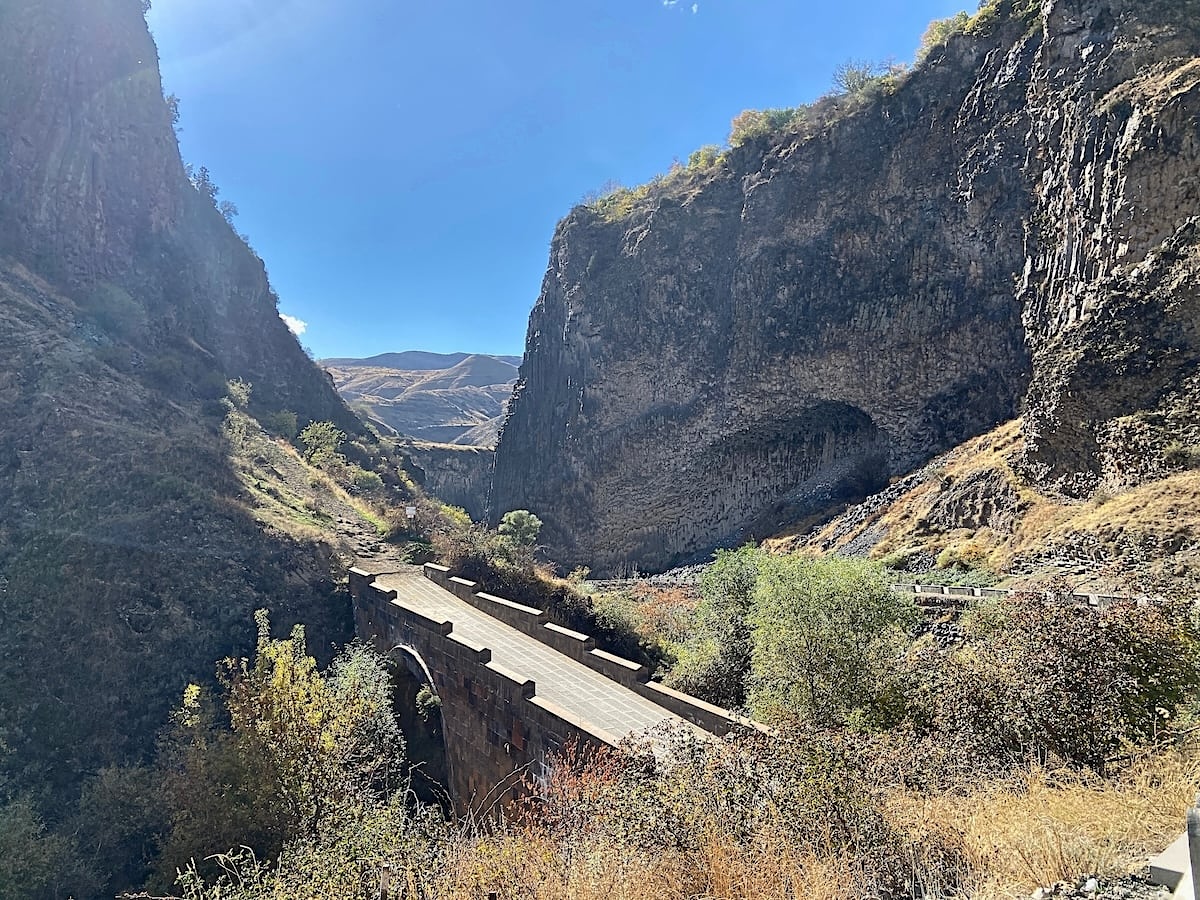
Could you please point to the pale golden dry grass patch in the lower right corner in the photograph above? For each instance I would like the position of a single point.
(1053, 827)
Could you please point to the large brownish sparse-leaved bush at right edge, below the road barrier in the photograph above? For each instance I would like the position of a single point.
(1046, 676)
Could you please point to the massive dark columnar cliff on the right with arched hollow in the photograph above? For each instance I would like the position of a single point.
(824, 310)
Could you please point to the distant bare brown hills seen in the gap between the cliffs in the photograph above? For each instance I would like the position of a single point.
(445, 398)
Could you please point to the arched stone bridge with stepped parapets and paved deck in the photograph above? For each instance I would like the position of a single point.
(515, 688)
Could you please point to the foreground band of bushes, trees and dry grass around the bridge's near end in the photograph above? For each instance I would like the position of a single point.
(1042, 748)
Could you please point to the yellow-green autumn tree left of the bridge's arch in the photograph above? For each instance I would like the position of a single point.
(304, 752)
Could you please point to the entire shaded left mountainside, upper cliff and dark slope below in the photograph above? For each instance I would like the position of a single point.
(130, 555)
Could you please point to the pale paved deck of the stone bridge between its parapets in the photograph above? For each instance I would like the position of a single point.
(560, 680)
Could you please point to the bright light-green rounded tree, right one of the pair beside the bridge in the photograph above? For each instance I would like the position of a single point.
(827, 638)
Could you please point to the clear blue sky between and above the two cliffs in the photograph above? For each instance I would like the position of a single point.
(401, 166)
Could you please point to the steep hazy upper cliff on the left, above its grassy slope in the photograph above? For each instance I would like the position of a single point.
(94, 197)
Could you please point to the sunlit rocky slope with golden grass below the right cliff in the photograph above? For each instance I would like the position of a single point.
(970, 517)
